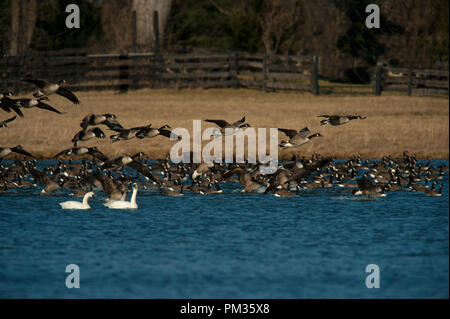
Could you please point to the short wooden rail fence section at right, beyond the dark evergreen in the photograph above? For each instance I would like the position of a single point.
(415, 81)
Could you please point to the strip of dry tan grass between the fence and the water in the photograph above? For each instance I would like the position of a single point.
(394, 123)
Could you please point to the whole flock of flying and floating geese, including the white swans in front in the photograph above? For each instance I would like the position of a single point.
(354, 176)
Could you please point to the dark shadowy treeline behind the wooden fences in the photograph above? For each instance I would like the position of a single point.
(413, 32)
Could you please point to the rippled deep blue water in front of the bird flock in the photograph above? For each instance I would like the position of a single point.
(227, 246)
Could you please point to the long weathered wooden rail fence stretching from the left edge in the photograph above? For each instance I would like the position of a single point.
(147, 70)
